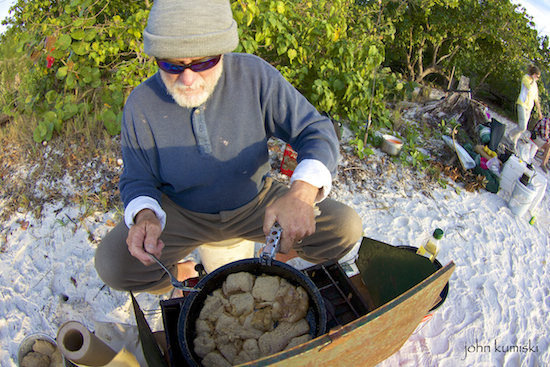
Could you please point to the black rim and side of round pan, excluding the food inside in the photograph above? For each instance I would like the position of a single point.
(193, 303)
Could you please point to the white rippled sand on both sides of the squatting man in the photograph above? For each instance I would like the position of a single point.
(496, 313)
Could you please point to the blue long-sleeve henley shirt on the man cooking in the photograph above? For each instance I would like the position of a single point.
(215, 157)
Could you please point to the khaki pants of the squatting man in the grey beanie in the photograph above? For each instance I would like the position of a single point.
(338, 229)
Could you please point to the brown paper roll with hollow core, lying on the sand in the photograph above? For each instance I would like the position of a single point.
(82, 347)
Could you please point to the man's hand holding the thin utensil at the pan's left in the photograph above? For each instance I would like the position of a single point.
(143, 237)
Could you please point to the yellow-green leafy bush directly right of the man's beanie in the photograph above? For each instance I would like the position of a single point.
(330, 51)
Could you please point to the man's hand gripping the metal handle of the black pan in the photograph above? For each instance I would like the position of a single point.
(294, 212)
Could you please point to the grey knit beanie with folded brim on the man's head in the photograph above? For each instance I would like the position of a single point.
(190, 28)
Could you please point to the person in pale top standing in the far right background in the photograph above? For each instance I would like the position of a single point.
(528, 97)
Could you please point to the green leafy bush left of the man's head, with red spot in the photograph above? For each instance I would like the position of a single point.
(85, 58)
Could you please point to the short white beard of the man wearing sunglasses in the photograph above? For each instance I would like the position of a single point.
(178, 90)
